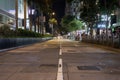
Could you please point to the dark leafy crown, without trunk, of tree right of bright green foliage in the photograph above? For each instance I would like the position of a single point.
(89, 11)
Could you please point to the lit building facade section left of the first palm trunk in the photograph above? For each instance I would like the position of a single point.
(7, 8)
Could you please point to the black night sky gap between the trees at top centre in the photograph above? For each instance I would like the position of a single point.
(59, 8)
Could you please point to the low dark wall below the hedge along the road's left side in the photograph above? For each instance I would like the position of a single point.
(14, 42)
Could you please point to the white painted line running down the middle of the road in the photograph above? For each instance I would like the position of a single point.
(60, 66)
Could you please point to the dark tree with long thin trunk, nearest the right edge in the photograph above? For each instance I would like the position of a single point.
(107, 7)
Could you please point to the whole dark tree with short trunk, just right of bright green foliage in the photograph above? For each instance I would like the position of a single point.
(89, 11)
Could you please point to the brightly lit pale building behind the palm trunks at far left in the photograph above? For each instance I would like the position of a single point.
(7, 12)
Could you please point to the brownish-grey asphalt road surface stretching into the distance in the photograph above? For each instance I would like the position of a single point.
(60, 59)
